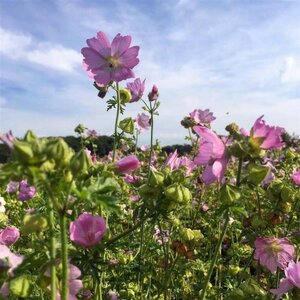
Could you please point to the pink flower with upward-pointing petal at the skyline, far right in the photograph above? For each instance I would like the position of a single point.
(268, 137)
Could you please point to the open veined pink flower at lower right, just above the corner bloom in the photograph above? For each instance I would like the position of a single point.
(273, 252)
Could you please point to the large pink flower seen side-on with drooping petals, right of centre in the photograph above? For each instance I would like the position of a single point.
(212, 152)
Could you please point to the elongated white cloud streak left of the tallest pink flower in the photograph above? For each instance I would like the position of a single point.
(21, 46)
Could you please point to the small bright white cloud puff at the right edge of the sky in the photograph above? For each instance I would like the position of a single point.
(291, 70)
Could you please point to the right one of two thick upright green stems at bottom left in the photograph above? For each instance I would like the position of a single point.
(64, 257)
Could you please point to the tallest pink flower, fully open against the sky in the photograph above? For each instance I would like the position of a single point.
(107, 61)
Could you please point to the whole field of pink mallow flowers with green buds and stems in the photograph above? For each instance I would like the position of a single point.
(220, 222)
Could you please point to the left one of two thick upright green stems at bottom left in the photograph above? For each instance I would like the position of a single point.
(52, 250)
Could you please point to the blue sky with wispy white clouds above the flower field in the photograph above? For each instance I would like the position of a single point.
(240, 59)
